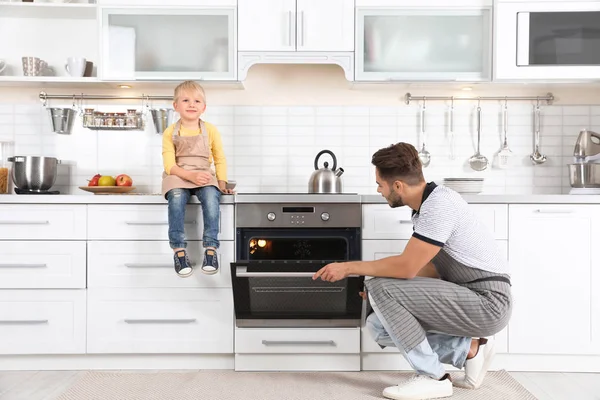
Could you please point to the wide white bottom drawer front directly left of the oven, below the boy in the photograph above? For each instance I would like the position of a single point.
(160, 321)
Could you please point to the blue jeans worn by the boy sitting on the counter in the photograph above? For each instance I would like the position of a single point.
(209, 197)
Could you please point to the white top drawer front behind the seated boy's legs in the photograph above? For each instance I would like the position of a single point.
(150, 222)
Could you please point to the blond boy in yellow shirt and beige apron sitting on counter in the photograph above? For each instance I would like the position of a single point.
(189, 148)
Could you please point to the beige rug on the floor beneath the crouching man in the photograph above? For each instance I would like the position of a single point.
(231, 385)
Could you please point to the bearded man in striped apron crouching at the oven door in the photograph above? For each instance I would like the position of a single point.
(433, 321)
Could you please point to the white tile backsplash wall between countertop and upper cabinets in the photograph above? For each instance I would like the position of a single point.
(272, 149)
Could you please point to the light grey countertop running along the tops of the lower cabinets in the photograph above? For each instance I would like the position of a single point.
(245, 198)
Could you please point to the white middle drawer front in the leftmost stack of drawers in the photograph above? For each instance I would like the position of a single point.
(31, 265)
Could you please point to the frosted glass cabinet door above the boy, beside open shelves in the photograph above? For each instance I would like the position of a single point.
(155, 44)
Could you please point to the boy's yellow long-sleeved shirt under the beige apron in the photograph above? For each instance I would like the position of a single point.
(214, 142)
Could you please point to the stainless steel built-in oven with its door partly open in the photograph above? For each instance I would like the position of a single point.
(279, 246)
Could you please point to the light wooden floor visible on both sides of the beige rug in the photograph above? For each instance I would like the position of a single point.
(47, 385)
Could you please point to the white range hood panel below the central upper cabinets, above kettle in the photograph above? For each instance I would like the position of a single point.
(247, 59)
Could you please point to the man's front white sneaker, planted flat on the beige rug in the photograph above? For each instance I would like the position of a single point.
(420, 387)
